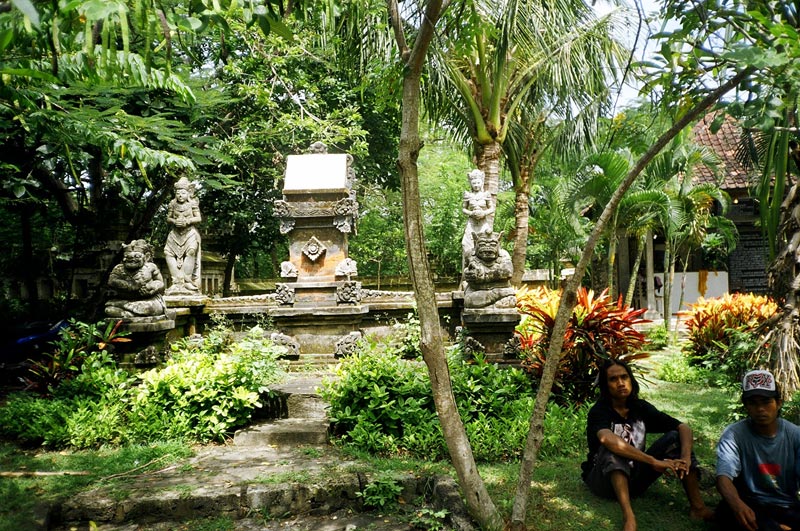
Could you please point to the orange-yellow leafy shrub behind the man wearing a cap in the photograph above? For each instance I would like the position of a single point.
(723, 332)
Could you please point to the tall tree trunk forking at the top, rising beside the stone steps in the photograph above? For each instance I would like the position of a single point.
(479, 502)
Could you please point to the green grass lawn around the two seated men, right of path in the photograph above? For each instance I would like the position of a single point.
(560, 501)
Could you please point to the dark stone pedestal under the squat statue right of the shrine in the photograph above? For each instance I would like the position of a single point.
(491, 330)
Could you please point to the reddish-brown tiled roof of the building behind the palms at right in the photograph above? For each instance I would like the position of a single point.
(735, 177)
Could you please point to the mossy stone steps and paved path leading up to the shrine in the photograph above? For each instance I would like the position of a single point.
(235, 481)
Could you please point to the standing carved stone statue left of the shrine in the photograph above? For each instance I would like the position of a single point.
(182, 250)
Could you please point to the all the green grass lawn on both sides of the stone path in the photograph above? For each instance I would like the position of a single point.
(559, 500)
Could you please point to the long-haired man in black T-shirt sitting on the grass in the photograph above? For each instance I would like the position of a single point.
(618, 465)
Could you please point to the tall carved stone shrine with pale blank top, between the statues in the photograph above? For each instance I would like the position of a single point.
(318, 212)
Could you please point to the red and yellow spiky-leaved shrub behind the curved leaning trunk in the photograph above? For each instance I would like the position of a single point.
(599, 329)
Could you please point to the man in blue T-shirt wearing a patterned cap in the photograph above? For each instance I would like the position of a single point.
(758, 463)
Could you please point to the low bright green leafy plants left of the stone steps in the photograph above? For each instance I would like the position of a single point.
(205, 390)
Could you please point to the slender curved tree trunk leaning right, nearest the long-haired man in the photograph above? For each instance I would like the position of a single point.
(569, 297)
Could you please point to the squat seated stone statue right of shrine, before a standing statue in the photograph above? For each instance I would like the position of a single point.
(487, 274)
